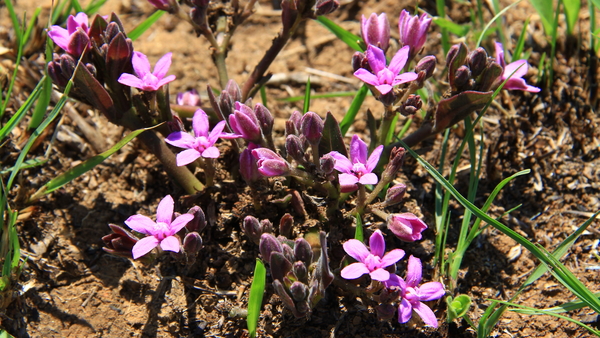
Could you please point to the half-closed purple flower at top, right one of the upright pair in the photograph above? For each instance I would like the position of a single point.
(413, 31)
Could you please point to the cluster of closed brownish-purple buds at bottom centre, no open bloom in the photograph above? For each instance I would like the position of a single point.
(300, 269)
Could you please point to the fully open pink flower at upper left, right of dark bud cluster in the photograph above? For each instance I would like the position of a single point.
(146, 80)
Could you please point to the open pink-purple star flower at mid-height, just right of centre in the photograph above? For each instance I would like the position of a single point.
(358, 169)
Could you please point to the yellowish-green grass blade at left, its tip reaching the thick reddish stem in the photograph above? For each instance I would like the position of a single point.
(84, 167)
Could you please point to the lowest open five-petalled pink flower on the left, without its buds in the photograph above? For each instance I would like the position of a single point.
(160, 232)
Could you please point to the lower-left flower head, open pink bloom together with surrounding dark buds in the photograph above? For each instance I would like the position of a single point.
(163, 234)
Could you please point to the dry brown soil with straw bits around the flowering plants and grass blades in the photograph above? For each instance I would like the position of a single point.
(71, 288)
